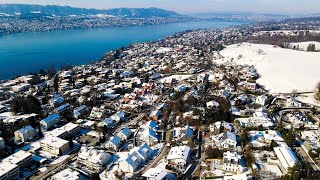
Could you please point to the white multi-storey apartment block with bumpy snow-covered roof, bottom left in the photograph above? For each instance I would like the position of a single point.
(93, 159)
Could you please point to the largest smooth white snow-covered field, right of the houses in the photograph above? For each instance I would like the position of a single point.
(281, 70)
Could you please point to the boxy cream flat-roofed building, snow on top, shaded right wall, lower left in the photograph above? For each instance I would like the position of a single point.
(54, 145)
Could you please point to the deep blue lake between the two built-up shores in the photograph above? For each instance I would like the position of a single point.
(29, 52)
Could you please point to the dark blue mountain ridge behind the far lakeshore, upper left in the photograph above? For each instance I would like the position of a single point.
(53, 10)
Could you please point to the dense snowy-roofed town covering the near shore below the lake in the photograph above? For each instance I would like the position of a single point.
(160, 110)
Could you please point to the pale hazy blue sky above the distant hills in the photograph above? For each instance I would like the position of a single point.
(195, 6)
